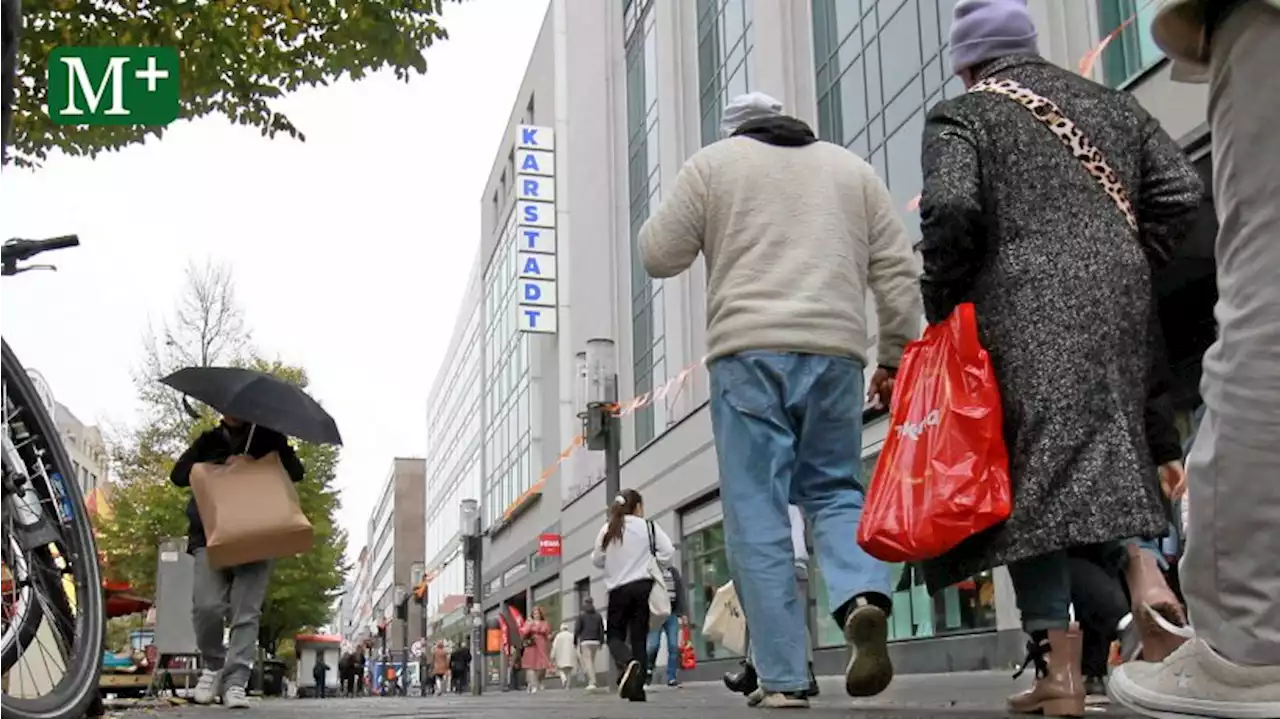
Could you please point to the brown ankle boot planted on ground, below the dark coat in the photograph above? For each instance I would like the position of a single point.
(1059, 689)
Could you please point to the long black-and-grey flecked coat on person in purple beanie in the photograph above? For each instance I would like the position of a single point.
(1013, 223)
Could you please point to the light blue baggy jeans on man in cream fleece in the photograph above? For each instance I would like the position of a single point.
(789, 432)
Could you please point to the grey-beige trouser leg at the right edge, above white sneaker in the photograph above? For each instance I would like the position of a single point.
(1231, 575)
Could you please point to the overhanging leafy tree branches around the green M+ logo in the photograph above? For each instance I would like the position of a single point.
(237, 57)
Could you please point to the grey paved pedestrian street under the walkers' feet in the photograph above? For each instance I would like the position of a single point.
(971, 695)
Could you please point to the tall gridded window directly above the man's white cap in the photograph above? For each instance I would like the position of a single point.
(724, 57)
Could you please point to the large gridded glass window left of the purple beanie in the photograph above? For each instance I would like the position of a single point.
(880, 67)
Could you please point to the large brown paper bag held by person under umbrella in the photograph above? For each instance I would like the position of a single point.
(250, 510)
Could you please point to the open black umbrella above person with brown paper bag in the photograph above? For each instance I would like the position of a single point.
(258, 399)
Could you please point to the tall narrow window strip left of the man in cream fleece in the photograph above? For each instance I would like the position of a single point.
(648, 335)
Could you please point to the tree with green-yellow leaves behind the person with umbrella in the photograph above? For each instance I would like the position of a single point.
(208, 328)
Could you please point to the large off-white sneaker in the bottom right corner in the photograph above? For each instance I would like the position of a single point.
(1196, 681)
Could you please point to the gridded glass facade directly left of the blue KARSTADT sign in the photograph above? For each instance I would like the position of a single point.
(509, 468)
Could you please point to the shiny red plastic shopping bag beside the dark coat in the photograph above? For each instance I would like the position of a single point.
(943, 475)
